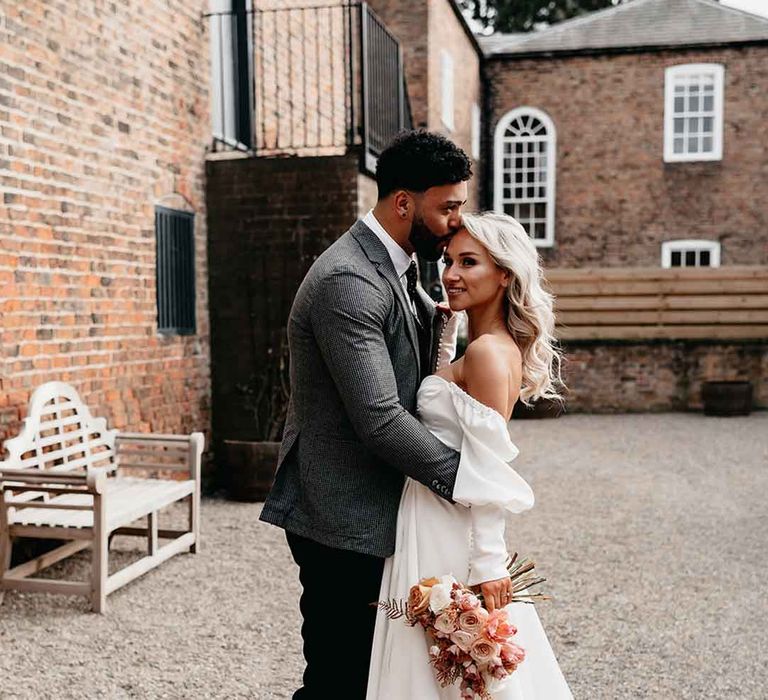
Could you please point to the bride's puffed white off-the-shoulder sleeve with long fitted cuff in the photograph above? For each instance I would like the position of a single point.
(487, 484)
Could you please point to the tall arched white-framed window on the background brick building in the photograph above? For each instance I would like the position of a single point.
(524, 171)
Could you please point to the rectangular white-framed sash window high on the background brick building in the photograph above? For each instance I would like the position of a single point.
(693, 112)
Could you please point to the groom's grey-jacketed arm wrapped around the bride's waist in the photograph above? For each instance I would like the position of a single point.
(348, 317)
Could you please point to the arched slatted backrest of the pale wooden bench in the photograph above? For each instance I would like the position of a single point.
(60, 435)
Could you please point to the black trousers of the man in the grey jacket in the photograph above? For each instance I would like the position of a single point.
(338, 589)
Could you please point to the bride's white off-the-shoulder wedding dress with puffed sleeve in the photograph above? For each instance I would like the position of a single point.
(435, 537)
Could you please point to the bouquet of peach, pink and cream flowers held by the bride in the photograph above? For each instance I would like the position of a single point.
(468, 643)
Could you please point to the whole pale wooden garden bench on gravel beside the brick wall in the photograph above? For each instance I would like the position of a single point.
(65, 478)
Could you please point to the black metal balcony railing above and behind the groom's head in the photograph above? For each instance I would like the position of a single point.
(306, 80)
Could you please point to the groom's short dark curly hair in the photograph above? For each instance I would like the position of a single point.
(417, 160)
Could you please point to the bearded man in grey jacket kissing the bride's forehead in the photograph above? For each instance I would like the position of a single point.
(360, 340)
